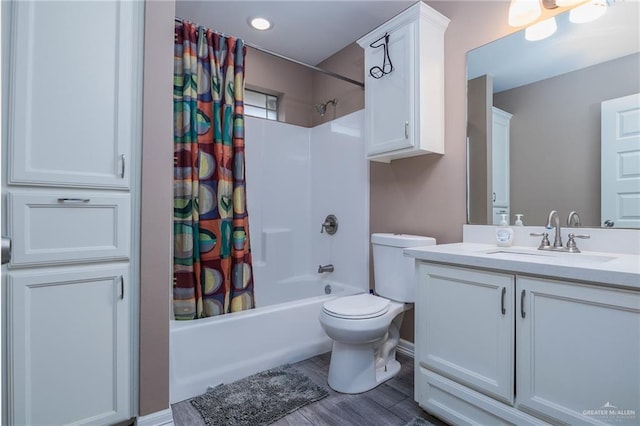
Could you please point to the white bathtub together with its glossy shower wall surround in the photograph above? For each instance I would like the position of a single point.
(312, 172)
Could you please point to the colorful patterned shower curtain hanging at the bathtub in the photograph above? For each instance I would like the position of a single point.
(212, 256)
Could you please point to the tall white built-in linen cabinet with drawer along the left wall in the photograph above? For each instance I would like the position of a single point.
(71, 132)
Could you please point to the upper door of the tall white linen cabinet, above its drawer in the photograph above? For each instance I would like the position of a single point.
(73, 102)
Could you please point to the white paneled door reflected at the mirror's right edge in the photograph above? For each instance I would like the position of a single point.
(620, 169)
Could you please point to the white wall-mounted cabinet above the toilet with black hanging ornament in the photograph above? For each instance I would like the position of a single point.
(404, 108)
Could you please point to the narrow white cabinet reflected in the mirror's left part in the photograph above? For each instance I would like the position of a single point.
(500, 164)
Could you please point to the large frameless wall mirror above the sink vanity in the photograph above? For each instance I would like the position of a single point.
(535, 108)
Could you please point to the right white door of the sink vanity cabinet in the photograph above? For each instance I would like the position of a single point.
(578, 352)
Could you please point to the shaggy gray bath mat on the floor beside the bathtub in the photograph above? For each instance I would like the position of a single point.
(260, 399)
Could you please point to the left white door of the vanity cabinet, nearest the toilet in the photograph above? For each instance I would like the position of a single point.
(465, 327)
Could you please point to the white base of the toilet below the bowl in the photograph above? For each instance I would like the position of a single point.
(353, 368)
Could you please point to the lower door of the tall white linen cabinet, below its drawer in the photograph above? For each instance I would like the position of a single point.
(69, 345)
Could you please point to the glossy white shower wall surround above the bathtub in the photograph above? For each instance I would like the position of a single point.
(313, 172)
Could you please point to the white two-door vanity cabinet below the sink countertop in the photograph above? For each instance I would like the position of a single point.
(576, 355)
